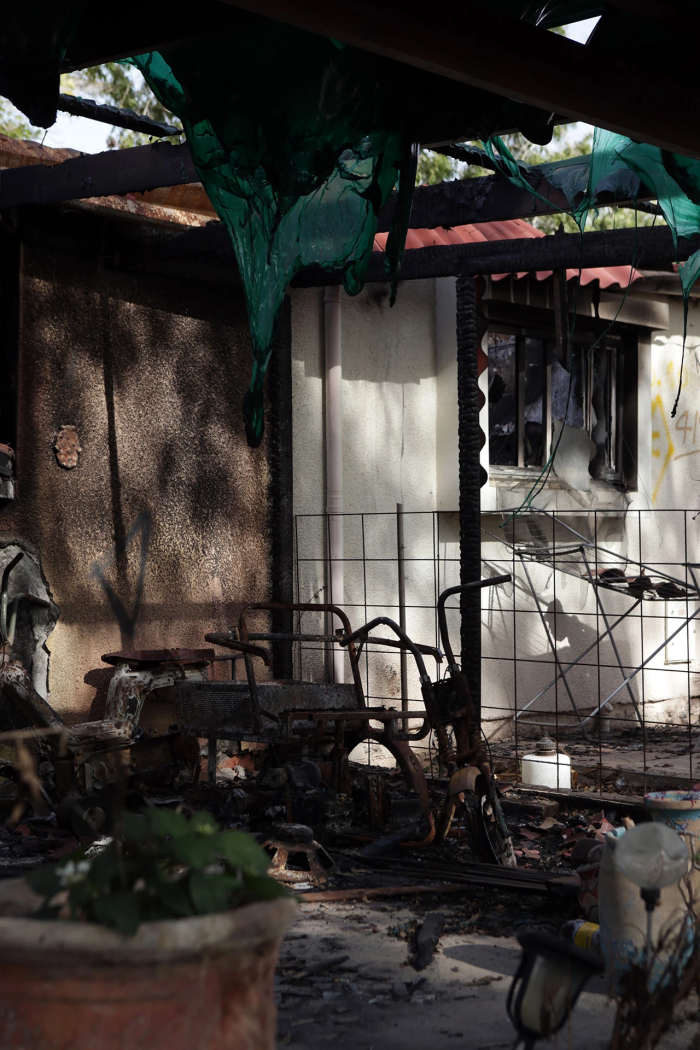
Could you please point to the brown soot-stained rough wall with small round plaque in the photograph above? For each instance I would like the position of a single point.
(161, 532)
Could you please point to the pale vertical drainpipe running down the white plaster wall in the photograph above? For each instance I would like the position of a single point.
(334, 464)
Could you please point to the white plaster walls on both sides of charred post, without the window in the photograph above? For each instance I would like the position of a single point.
(400, 446)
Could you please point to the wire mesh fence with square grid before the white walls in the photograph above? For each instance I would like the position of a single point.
(592, 643)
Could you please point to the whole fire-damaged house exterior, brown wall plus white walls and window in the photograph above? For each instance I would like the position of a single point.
(147, 520)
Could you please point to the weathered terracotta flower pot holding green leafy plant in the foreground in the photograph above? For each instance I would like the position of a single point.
(204, 983)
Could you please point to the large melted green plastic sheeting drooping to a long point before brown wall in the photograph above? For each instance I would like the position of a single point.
(299, 178)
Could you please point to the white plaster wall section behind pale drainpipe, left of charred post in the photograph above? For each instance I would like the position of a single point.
(389, 395)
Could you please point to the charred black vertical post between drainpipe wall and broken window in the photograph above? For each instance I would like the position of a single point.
(470, 448)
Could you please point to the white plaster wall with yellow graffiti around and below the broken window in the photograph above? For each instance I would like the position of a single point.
(663, 536)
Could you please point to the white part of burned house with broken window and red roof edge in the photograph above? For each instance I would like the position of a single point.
(622, 479)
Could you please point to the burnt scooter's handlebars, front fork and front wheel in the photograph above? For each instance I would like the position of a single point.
(472, 792)
